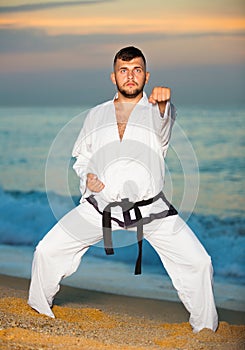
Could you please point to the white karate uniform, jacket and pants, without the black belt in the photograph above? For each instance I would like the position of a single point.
(130, 168)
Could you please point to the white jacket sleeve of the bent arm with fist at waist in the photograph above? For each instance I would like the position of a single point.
(82, 151)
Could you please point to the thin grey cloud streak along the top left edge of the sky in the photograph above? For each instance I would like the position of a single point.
(48, 5)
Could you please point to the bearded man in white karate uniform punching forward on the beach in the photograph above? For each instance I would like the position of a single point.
(120, 161)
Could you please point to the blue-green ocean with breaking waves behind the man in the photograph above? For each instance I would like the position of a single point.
(205, 180)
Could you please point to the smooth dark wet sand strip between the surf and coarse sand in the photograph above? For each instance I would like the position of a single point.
(161, 310)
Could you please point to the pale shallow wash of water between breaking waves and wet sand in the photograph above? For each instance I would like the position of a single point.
(96, 274)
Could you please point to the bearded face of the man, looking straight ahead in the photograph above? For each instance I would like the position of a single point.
(130, 77)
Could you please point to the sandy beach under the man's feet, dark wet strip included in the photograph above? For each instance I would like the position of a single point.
(93, 320)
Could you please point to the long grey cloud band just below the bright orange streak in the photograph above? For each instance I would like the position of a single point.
(15, 40)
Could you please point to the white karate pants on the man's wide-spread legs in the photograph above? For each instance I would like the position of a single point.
(59, 254)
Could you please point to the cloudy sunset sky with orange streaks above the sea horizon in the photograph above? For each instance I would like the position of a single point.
(60, 52)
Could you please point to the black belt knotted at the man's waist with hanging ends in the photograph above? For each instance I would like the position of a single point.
(127, 206)
